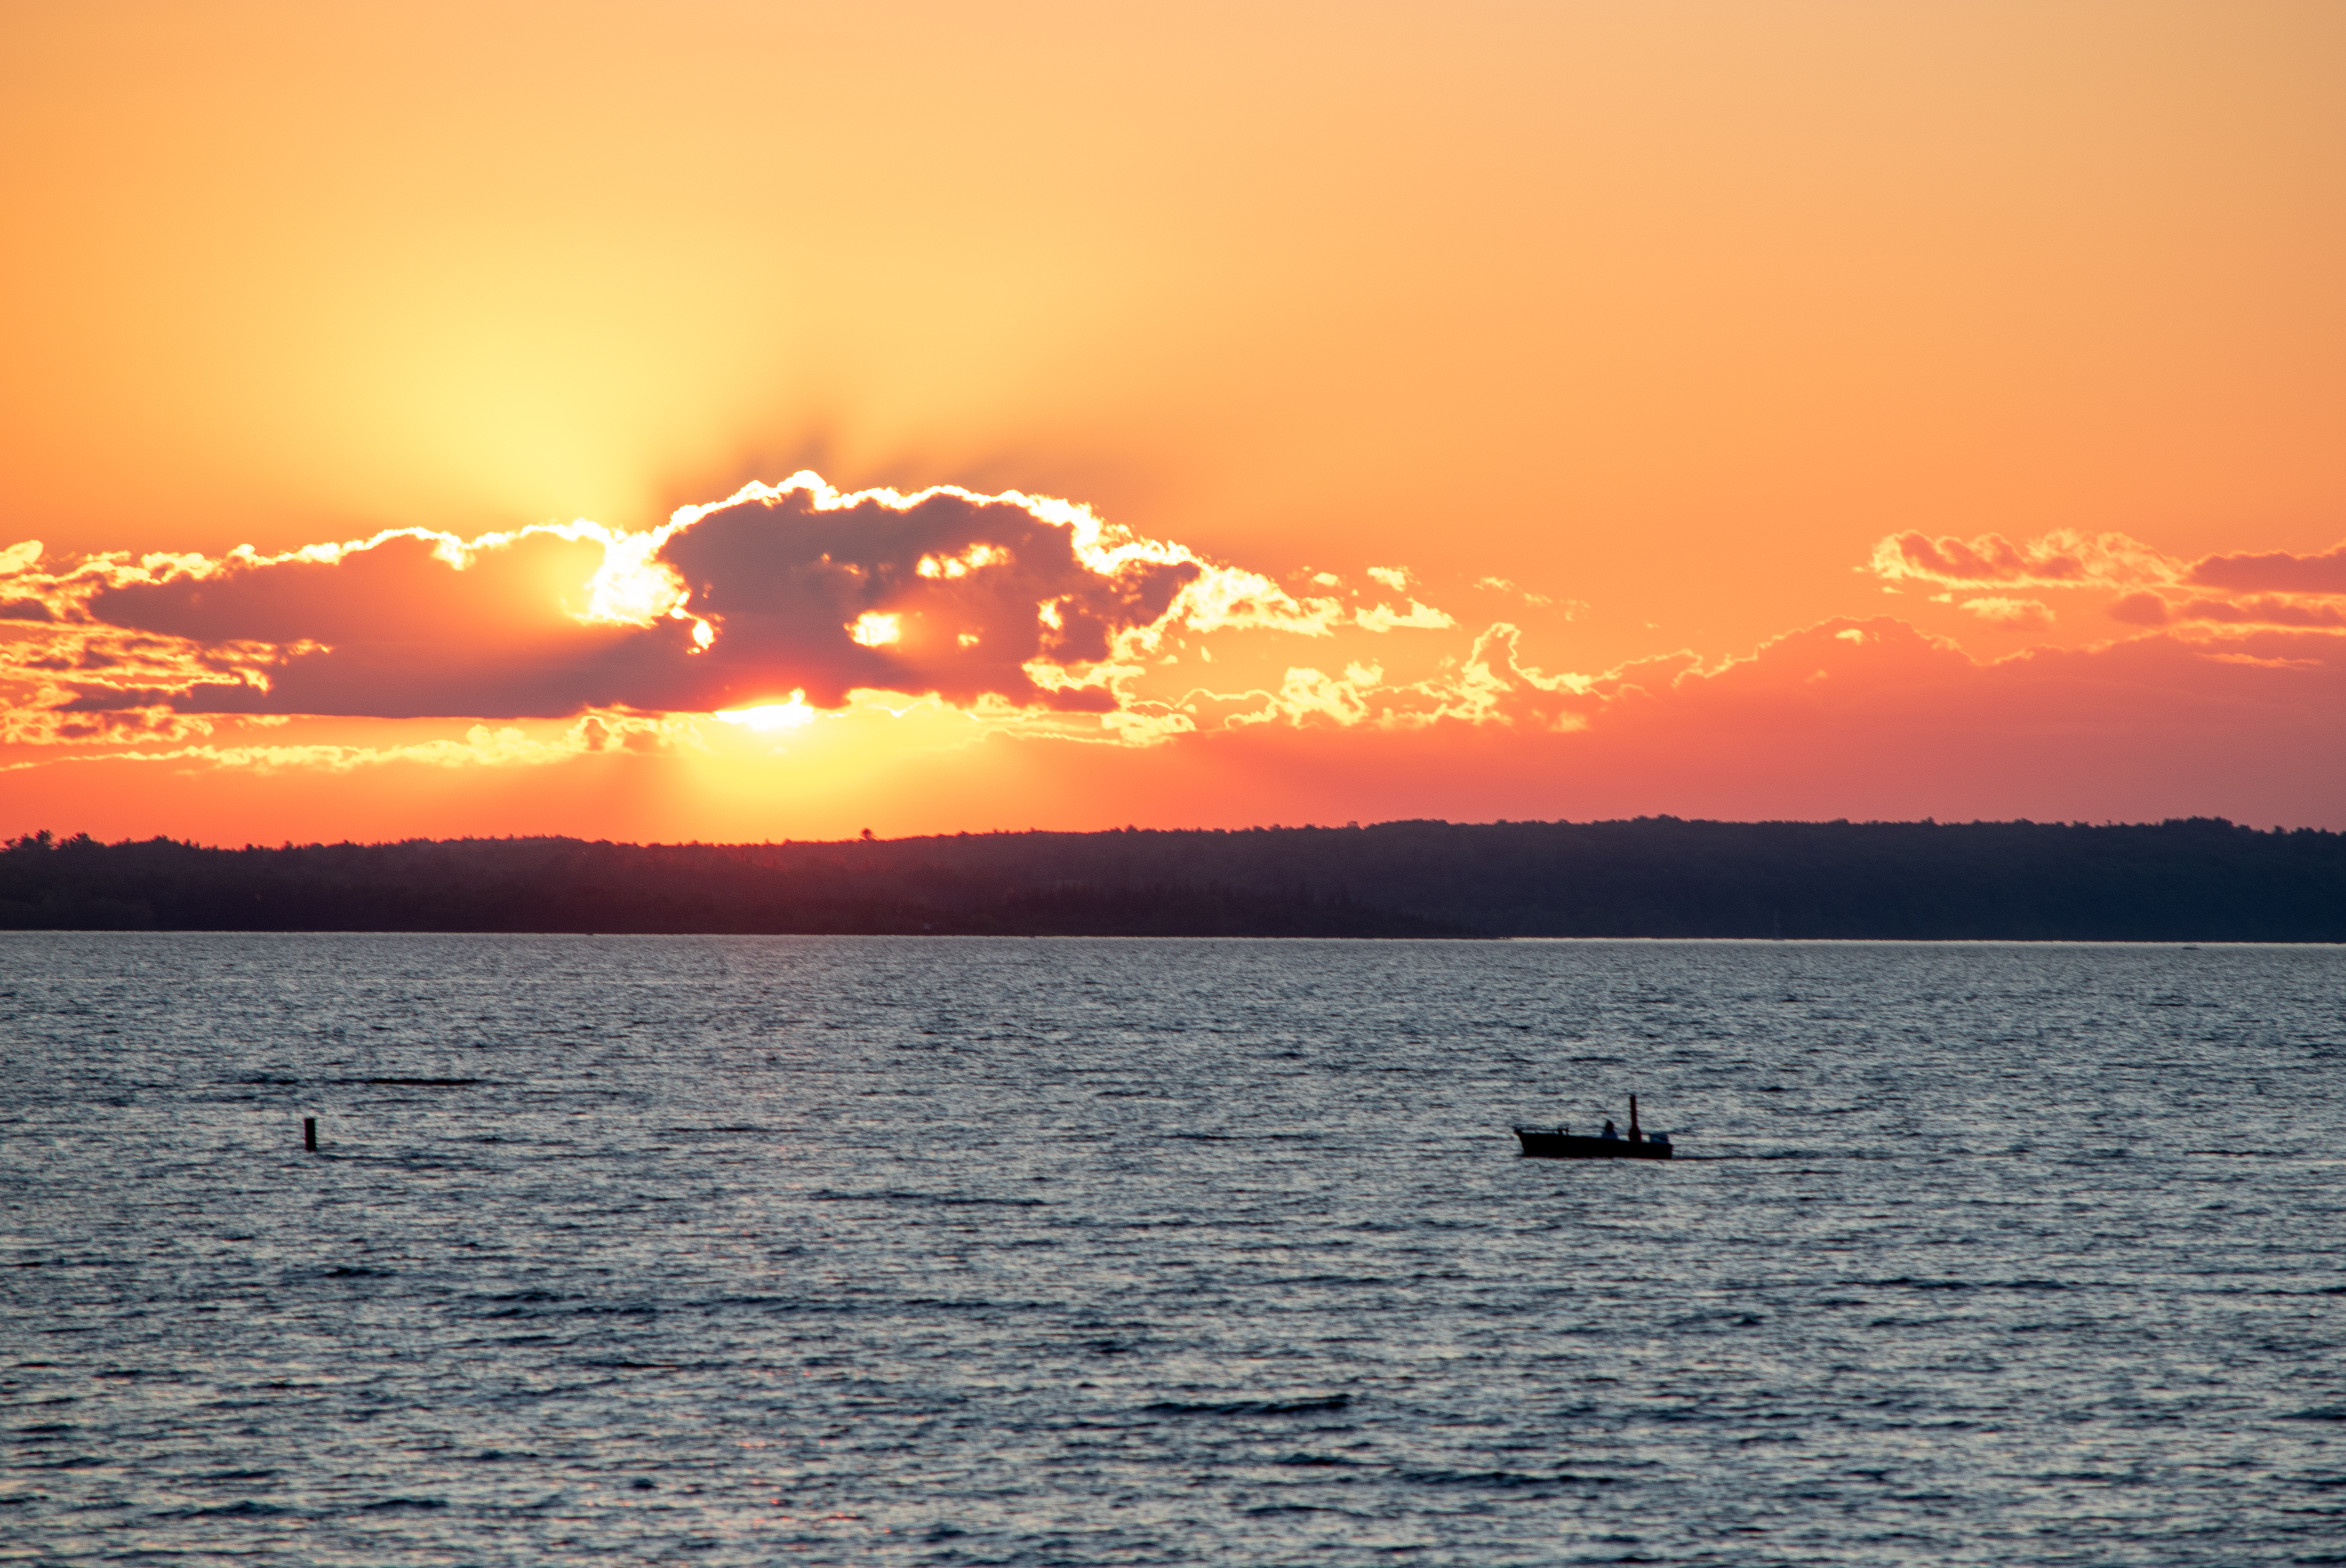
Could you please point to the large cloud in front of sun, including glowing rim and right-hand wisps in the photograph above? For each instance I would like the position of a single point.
(778, 590)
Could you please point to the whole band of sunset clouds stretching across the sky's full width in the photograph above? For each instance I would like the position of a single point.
(1031, 616)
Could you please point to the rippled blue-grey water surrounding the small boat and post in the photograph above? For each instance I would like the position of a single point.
(789, 1250)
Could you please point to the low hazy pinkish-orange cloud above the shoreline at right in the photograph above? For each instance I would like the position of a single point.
(1894, 724)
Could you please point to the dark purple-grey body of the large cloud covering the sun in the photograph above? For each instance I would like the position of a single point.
(949, 595)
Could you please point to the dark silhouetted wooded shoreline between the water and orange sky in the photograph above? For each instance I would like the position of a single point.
(1655, 877)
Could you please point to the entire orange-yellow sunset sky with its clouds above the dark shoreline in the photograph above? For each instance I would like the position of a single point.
(759, 421)
